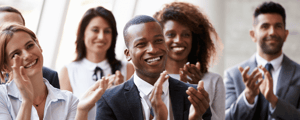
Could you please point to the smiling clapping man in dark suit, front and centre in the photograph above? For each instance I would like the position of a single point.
(130, 101)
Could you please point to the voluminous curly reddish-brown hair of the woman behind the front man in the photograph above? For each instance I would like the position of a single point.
(203, 47)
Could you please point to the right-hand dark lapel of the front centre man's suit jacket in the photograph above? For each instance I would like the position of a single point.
(177, 100)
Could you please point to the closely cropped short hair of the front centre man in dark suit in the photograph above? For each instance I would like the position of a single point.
(137, 20)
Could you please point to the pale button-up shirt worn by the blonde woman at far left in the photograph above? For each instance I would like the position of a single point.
(59, 105)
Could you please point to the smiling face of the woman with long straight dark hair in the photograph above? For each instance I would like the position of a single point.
(97, 36)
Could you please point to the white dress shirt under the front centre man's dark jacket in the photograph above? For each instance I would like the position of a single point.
(145, 89)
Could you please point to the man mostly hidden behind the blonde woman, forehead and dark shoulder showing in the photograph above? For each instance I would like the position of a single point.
(10, 14)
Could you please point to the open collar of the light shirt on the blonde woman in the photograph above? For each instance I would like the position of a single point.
(53, 93)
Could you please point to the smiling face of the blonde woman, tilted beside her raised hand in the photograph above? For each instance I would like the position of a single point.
(23, 45)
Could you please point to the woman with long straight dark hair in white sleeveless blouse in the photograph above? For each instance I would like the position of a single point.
(95, 50)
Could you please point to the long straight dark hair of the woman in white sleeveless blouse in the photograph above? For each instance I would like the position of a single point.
(80, 46)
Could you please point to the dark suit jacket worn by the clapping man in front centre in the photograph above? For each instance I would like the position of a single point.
(123, 102)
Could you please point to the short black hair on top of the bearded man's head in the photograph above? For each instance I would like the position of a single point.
(270, 7)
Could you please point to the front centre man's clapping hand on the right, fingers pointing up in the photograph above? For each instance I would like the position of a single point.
(199, 101)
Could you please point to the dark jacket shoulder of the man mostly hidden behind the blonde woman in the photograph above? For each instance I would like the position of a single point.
(51, 76)
